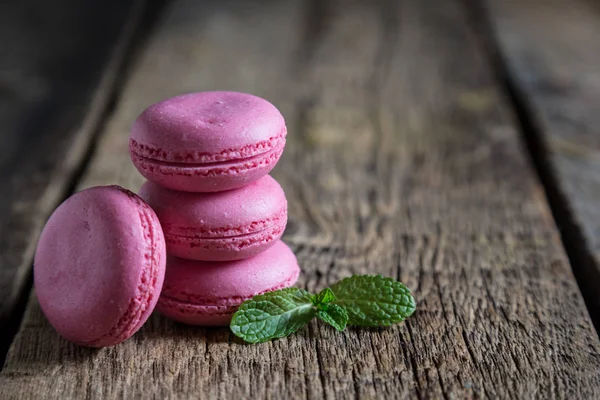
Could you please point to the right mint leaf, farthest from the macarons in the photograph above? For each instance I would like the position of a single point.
(372, 300)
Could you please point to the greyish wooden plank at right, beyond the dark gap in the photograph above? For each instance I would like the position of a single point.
(552, 53)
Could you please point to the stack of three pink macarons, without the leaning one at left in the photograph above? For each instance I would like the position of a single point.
(206, 157)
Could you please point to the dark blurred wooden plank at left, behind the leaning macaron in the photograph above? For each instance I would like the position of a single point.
(53, 92)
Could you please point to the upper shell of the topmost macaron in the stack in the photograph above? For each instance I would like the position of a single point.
(207, 127)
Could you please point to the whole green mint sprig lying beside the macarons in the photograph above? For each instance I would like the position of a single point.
(363, 300)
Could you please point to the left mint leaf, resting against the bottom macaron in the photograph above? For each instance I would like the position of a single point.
(272, 315)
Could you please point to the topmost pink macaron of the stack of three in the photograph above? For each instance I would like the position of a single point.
(207, 142)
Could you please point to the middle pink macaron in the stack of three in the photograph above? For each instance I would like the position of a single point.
(221, 226)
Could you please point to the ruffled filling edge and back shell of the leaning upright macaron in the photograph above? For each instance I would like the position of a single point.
(135, 314)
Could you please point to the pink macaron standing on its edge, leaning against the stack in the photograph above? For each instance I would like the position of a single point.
(99, 266)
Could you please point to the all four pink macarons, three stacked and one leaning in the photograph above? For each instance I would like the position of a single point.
(209, 228)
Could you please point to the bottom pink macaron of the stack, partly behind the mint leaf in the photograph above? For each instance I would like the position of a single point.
(208, 293)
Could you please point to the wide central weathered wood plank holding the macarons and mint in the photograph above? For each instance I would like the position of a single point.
(402, 160)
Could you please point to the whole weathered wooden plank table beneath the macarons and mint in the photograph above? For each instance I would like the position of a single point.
(451, 144)
